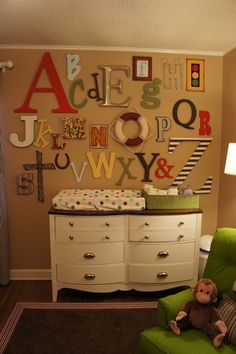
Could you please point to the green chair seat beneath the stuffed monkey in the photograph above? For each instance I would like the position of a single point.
(159, 341)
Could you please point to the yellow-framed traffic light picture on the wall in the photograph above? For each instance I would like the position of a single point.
(195, 75)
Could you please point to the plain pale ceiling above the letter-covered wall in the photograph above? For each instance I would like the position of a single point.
(166, 25)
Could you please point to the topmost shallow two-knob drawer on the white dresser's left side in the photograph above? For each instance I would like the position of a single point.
(90, 222)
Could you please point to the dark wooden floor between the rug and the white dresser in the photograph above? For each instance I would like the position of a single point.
(40, 291)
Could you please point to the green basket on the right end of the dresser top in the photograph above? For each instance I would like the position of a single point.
(171, 201)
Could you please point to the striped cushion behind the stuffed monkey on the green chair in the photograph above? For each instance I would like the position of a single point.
(227, 310)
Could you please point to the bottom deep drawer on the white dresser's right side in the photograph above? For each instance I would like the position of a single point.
(154, 274)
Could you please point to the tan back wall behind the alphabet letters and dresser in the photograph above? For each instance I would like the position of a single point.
(28, 218)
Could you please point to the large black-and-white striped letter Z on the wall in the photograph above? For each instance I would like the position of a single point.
(192, 161)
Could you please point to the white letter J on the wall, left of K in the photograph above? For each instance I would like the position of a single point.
(29, 132)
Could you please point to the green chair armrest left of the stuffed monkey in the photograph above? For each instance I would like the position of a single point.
(169, 306)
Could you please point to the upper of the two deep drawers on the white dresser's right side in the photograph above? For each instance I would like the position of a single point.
(161, 253)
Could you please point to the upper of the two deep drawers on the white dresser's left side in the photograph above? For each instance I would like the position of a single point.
(90, 253)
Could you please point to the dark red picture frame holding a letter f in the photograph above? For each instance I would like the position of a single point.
(142, 68)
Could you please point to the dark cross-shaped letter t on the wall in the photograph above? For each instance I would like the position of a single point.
(39, 167)
